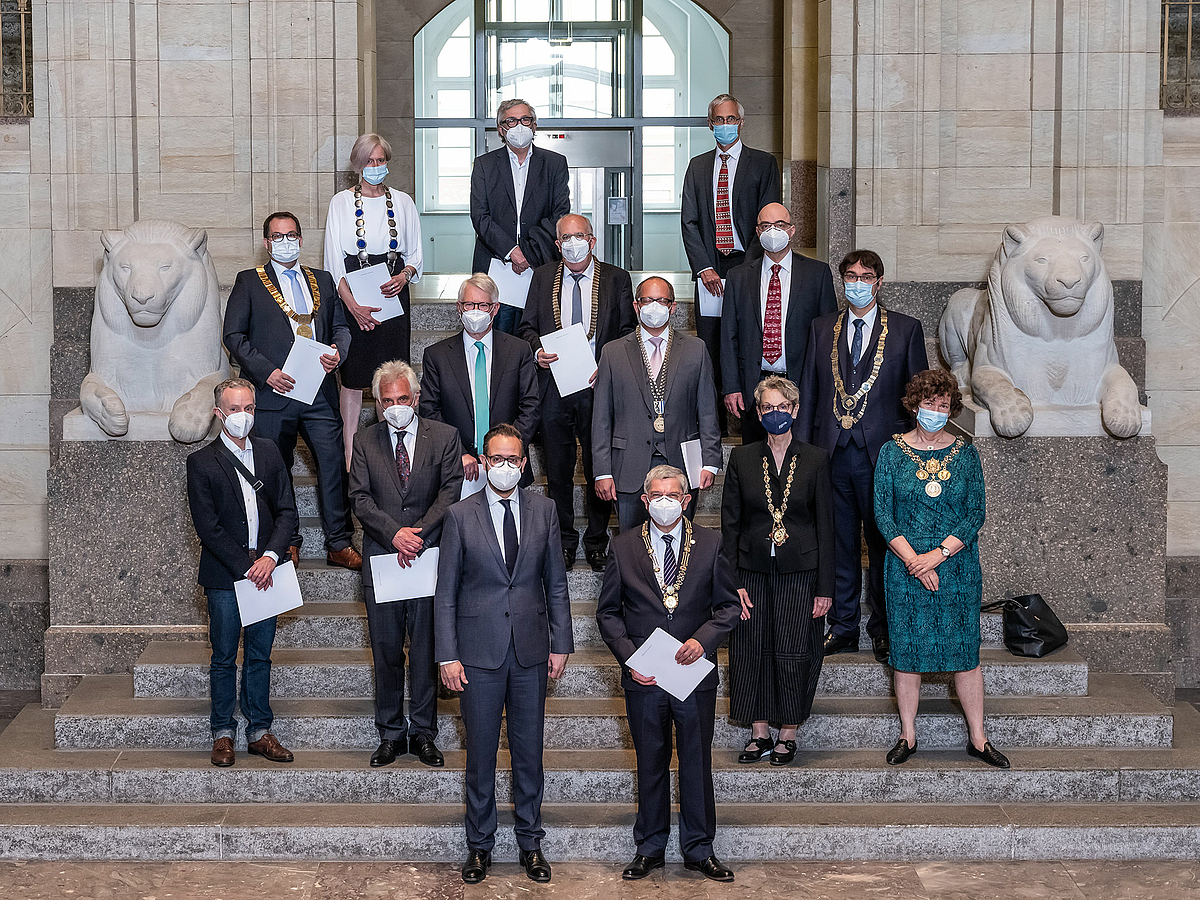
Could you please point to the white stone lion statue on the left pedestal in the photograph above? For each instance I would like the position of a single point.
(155, 332)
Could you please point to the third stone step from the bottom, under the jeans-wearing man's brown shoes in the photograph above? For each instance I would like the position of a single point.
(1119, 712)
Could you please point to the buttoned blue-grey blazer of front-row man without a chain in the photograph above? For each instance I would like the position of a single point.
(479, 608)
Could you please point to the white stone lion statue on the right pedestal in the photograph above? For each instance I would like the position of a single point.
(1041, 334)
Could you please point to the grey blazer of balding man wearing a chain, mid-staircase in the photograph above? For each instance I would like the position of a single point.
(623, 437)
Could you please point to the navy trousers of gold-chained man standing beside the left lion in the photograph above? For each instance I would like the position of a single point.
(321, 427)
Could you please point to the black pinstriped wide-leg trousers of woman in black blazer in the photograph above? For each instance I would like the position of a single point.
(776, 656)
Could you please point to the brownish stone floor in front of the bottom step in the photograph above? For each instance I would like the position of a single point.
(799, 881)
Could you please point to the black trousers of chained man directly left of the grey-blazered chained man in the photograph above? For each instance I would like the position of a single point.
(563, 422)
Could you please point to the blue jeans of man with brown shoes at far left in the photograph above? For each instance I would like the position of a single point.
(225, 631)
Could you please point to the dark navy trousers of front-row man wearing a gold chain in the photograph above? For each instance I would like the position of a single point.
(652, 716)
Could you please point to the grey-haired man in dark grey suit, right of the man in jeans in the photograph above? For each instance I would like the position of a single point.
(405, 475)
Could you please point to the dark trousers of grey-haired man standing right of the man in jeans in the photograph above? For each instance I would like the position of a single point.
(389, 623)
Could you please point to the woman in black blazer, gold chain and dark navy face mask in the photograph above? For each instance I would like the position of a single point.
(777, 519)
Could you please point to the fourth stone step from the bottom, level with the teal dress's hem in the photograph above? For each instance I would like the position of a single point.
(176, 670)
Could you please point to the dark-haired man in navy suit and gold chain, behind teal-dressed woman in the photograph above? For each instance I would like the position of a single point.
(851, 413)
